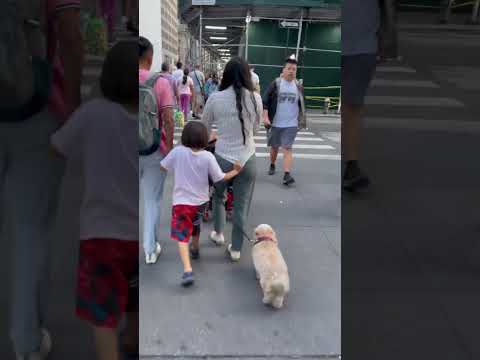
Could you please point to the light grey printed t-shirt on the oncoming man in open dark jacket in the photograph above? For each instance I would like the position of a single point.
(287, 107)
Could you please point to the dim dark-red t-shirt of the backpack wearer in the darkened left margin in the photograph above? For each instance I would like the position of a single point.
(57, 103)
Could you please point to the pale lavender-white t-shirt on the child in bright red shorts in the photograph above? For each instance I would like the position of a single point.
(192, 171)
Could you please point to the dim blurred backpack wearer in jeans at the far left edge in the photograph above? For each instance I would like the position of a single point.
(36, 98)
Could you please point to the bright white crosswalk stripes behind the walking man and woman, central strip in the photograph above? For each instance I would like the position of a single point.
(308, 145)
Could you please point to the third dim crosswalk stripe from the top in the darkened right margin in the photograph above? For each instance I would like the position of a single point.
(413, 101)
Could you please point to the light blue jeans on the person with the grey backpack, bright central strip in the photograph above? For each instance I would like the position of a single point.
(152, 181)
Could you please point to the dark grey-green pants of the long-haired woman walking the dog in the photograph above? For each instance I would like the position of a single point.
(243, 187)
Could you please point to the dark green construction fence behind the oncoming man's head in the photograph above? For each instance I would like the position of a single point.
(319, 57)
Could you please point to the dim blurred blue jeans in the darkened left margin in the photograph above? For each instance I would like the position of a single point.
(30, 179)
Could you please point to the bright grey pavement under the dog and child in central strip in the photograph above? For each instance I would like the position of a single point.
(223, 316)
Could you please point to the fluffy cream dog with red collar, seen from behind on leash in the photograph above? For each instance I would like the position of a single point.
(270, 266)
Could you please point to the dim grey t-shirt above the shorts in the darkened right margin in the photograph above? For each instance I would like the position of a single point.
(360, 25)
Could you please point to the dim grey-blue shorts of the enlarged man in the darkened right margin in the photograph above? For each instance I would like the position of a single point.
(357, 73)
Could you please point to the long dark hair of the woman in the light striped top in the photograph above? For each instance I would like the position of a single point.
(237, 74)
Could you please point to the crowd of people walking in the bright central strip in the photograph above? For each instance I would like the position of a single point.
(227, 111)
